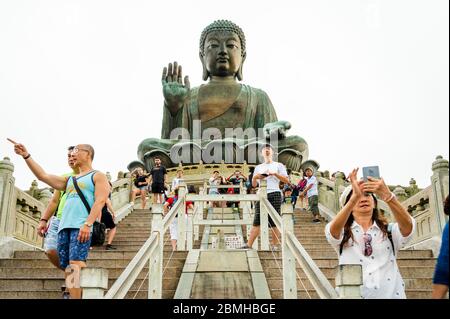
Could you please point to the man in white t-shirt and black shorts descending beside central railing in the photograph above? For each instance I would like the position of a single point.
(274, 173)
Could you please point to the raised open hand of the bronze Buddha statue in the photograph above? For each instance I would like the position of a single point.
(175, 92)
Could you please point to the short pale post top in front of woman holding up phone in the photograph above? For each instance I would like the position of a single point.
(349, 281)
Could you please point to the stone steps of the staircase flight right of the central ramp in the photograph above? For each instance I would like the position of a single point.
(416, 266)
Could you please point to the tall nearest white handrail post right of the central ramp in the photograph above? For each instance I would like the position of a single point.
(289, 263)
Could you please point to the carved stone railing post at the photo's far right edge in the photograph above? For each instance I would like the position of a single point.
(439, 183)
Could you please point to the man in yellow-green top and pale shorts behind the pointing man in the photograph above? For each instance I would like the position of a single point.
(49, 223)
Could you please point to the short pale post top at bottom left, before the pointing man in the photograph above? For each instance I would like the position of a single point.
(94, 282)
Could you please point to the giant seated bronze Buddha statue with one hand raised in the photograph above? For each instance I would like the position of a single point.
(197, 121)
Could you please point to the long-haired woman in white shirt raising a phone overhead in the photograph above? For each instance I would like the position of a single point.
(361, 235)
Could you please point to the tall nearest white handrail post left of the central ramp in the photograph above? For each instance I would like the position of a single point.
(156, 260)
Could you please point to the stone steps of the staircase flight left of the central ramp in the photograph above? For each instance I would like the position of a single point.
(29, 275)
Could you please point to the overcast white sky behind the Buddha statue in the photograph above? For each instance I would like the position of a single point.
(365, 82)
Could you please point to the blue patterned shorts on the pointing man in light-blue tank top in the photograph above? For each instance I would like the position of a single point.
(69, 248)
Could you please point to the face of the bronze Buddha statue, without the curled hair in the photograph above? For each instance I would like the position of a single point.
(222, 55)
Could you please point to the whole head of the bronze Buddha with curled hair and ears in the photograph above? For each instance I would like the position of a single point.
(222, 50)
